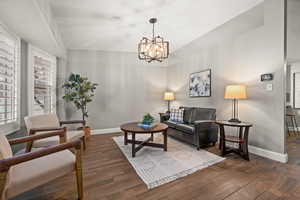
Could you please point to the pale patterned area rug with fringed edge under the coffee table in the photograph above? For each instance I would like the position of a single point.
(156, 167)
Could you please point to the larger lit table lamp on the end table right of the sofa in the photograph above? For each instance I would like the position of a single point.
(235, 92)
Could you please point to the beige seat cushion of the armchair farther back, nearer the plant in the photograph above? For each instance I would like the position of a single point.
(70, 135)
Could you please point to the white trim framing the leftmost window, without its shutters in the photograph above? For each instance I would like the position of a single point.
(12, 127)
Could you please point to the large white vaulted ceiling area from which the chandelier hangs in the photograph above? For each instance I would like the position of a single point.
(118, 25)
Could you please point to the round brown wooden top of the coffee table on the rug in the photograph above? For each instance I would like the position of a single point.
(134, 128)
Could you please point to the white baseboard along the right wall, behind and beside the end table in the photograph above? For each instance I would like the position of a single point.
(265, 153)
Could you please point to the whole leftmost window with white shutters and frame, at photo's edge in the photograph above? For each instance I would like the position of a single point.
(9, 81)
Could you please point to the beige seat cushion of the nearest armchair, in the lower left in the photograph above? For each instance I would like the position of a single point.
(28, 175)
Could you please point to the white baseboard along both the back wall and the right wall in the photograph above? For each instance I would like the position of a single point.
(252, 149)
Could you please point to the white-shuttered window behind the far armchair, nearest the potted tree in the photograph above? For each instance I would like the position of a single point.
(42, 82)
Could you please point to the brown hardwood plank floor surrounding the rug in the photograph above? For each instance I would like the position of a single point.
(109, 176)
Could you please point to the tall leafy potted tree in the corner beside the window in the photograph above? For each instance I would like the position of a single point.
(80, 91)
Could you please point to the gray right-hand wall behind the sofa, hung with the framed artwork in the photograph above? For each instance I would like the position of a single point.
(239, 52)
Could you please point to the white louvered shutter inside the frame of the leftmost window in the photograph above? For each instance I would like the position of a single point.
(8, 77)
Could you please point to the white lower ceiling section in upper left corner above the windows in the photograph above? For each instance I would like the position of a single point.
(27, 20)
